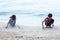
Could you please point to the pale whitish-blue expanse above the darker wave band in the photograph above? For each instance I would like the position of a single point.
(34, 5)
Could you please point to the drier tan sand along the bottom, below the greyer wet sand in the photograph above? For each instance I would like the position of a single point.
(17, 36)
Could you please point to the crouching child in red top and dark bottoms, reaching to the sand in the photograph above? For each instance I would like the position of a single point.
(48, 21)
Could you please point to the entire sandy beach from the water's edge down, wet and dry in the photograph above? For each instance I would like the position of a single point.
(48, 34)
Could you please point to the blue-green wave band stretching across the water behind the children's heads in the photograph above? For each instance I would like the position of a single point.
(29, 13)
